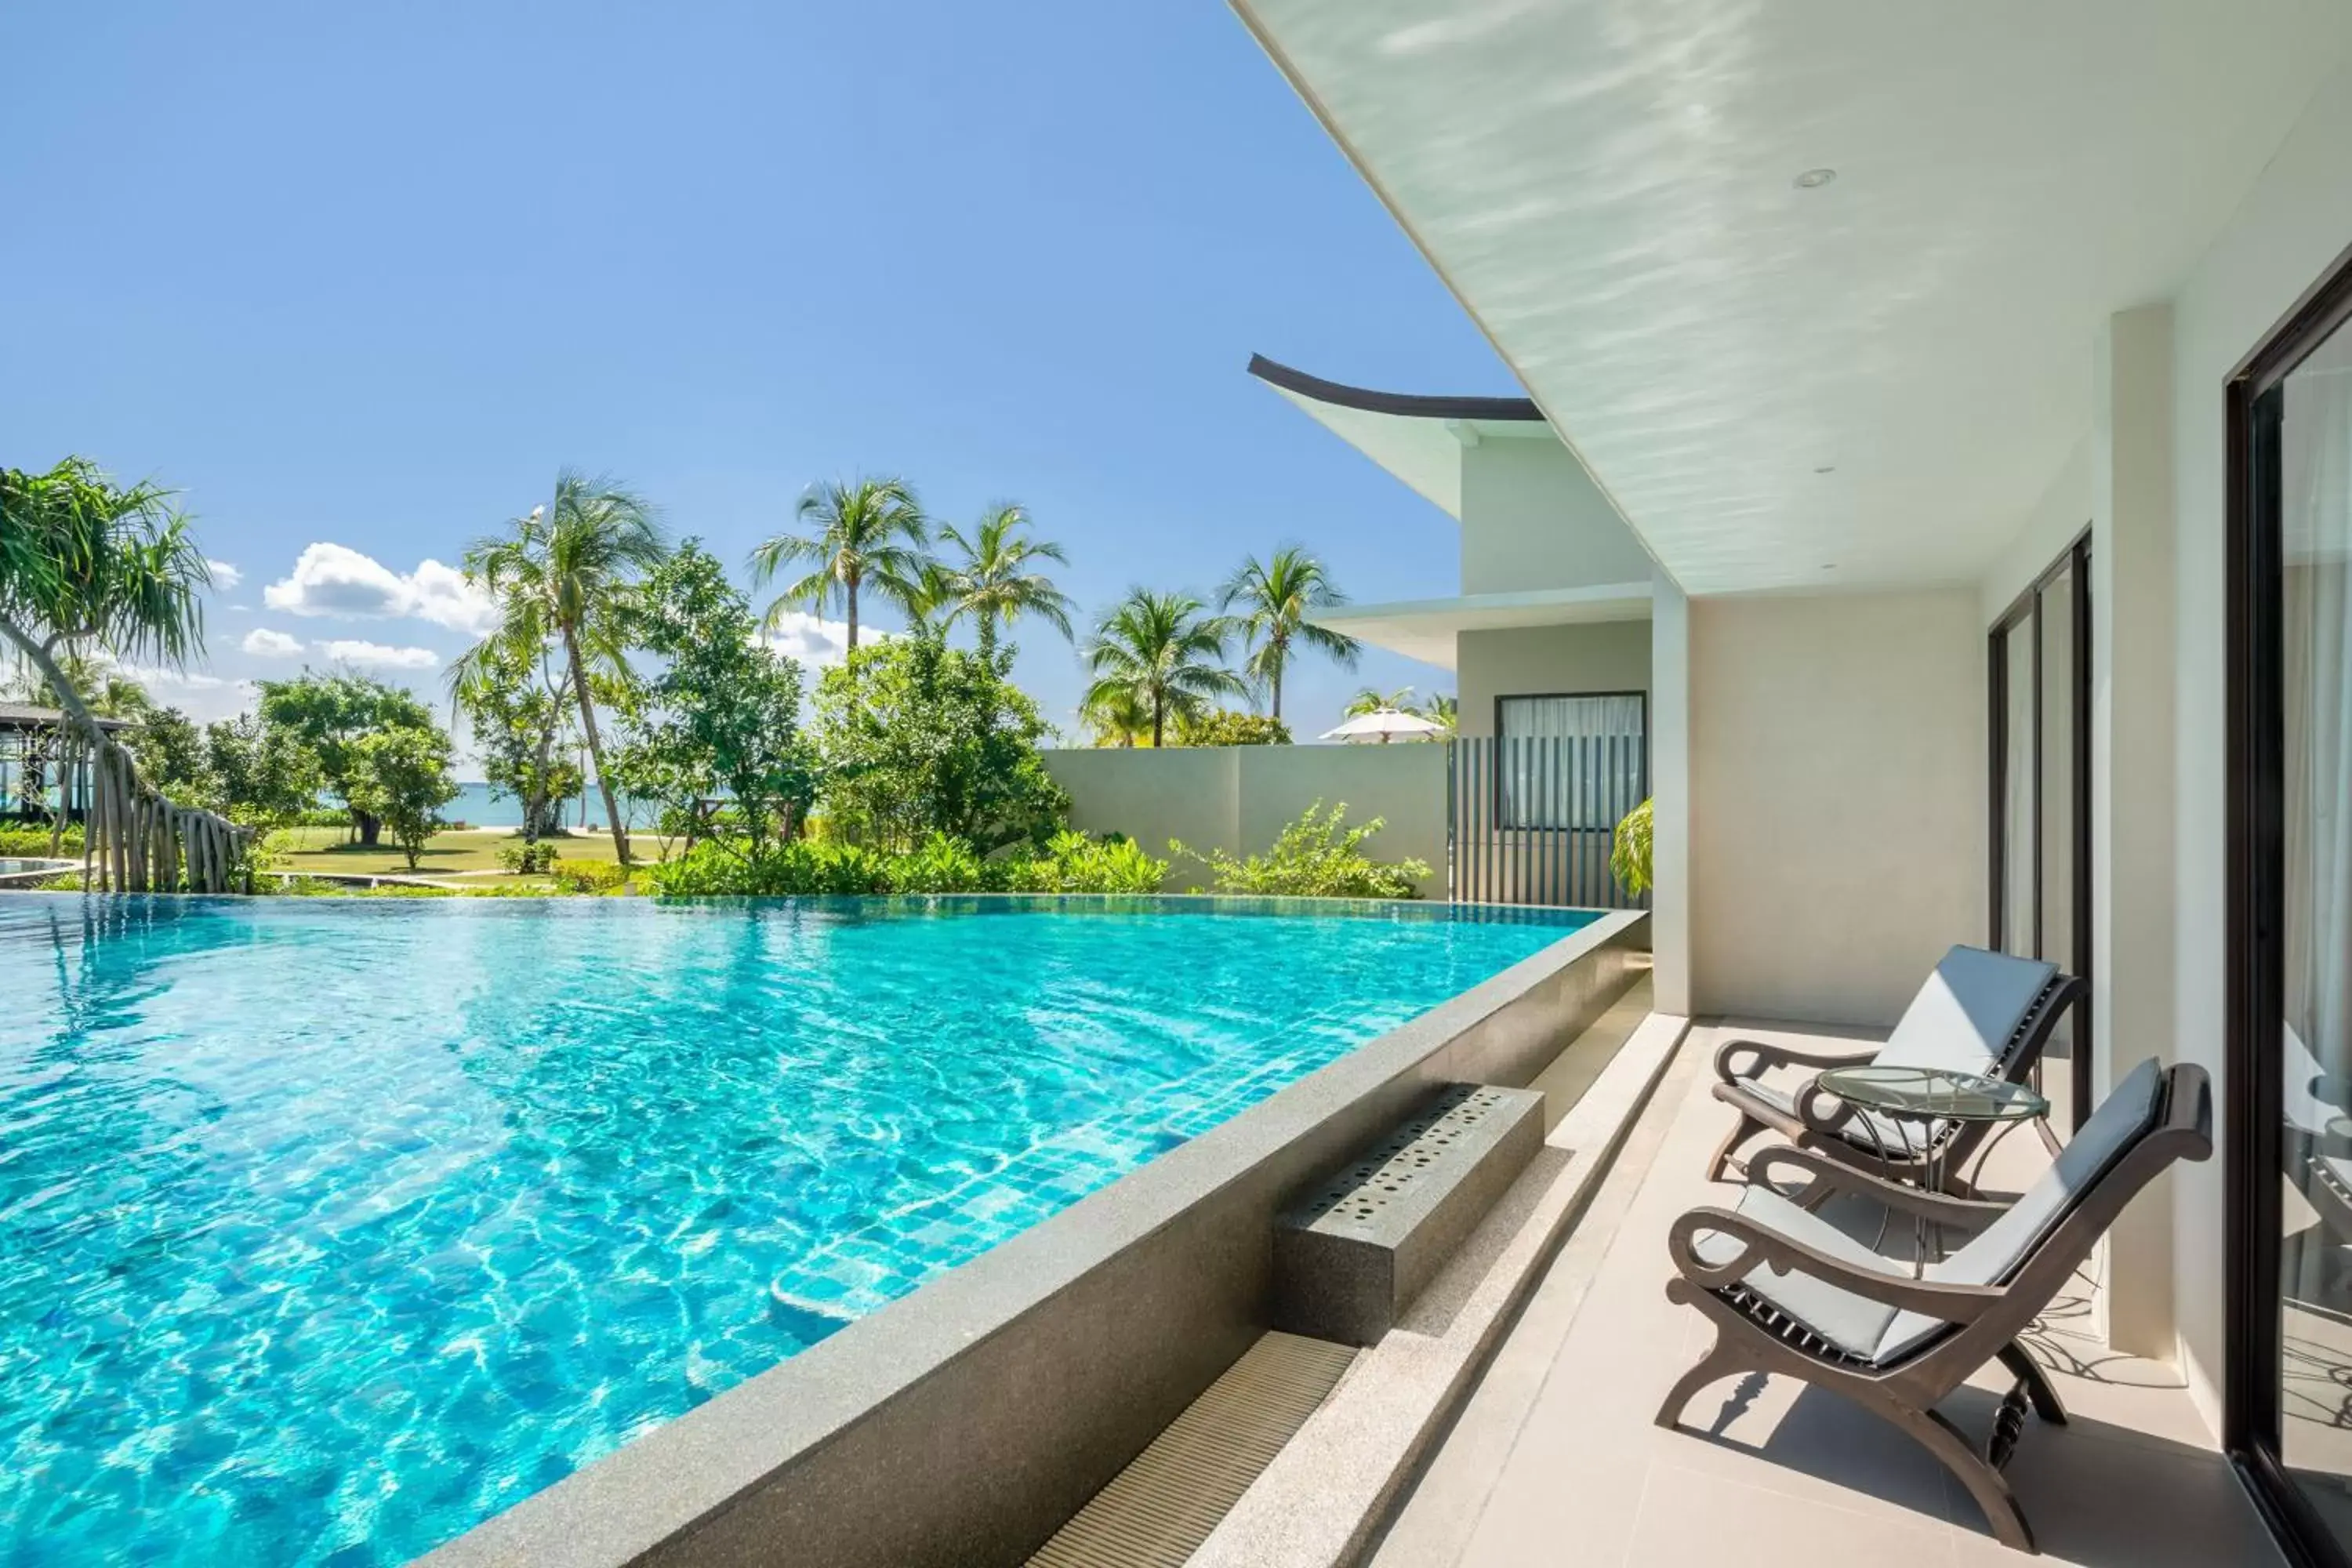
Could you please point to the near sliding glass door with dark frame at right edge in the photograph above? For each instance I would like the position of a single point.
(2292, 927)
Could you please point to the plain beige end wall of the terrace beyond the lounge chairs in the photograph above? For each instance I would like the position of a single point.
(1836, 800)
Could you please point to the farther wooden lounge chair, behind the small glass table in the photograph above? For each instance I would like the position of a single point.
(1982, 1012)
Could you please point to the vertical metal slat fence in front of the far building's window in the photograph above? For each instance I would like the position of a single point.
(1530, 819)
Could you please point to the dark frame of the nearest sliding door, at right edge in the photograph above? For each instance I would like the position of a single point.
(2257, 911)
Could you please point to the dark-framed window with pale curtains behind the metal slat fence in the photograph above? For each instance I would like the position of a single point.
(1572, 760)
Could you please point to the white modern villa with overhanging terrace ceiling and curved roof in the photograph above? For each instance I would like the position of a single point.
(1956, 398)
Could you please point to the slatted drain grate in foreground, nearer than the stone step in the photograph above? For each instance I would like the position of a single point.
(1163, 1506)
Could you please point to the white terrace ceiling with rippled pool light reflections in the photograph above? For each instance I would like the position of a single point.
(1608, 187)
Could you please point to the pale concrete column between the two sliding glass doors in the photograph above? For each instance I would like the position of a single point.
(2132, 775)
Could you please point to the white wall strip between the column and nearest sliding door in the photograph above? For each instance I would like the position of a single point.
(2285, 236)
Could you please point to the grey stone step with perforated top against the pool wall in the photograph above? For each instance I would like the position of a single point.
(1356, 1254)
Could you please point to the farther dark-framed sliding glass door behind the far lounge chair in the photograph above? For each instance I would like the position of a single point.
(2040, 817)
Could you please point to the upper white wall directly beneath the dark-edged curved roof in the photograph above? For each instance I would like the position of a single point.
(1532, 518)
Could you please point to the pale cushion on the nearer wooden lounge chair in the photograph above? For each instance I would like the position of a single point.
(1880, 1334)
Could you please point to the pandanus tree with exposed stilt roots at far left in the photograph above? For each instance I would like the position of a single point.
(91, 568)
